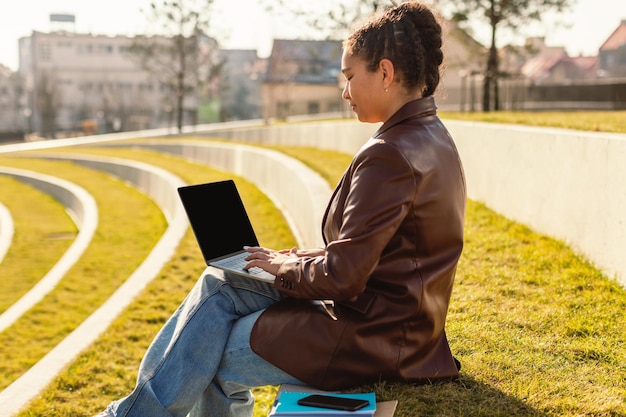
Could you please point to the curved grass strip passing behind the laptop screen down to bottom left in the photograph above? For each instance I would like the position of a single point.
(108, 369)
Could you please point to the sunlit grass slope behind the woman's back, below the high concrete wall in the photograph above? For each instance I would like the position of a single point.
(538, 329)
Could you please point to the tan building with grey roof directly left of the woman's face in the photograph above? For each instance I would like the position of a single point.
(302, 77)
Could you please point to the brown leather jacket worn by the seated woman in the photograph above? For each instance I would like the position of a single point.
(394, 234)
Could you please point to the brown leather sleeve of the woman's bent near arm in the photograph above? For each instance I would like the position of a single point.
(379, 188)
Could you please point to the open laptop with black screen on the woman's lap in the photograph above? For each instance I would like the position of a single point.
(221, 226)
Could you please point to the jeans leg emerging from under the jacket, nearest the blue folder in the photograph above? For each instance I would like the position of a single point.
(240, 369)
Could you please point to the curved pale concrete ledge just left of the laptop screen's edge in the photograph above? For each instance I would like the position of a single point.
(161, 186)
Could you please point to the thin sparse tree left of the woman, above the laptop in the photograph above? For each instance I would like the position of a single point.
(182, 57)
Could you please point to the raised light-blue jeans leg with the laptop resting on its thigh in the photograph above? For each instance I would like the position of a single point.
(185, 356)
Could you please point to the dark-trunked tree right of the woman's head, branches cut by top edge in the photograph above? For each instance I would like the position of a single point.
(506, 14)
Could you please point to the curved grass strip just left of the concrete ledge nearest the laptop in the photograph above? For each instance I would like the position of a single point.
(101, 269)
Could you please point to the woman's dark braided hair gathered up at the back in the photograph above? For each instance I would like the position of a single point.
(409, 35)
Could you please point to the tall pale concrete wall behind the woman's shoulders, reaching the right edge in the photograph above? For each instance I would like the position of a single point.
(564, 183)
